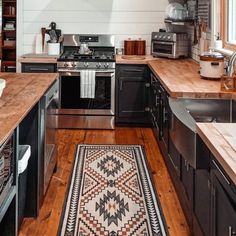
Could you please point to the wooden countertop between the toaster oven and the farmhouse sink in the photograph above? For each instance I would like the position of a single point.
(181, 79)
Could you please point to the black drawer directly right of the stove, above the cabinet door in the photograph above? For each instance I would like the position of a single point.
(133, 71)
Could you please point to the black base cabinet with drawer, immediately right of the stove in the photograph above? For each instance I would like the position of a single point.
(132, 93)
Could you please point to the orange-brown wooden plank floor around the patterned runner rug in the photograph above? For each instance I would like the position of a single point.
(48, 220)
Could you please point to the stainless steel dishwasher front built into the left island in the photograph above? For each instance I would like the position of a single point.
(49, 107)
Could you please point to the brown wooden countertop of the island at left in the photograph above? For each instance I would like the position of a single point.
(22, 92)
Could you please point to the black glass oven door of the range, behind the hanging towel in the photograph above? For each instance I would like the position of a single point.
(103, 103)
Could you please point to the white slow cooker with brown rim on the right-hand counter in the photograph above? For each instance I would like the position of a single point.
(211, 65)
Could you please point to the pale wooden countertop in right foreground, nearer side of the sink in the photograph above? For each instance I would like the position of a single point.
(221, 140)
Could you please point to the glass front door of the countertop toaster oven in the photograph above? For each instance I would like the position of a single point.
(162, 48)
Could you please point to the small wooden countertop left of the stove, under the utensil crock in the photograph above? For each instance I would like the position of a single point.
(38, 58)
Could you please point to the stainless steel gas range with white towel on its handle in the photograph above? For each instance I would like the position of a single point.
(87, 82)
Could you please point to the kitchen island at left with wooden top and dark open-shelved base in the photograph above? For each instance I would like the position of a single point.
(20, 122)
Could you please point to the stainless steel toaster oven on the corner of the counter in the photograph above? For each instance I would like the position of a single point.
(171, 45)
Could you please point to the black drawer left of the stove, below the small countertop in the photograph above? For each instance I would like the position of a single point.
(39, 67)
